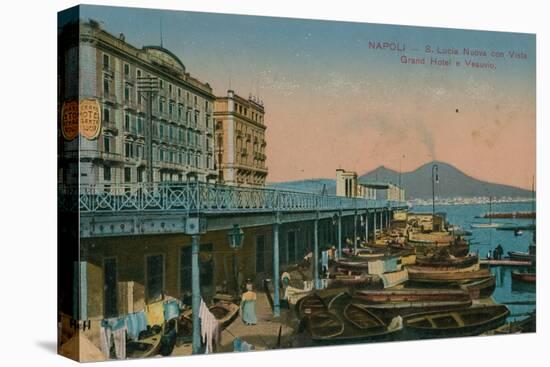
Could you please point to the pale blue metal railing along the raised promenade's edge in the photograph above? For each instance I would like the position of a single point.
(208, 198)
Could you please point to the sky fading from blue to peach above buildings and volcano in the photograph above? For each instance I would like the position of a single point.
(332, 102)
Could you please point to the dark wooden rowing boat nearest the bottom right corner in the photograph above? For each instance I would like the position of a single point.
(470, 321)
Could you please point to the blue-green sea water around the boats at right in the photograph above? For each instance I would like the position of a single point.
(519, 297)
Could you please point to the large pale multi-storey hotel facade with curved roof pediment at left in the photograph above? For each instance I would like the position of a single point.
(182, 113)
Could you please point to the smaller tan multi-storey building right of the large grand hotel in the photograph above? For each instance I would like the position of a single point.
(240, 140)
